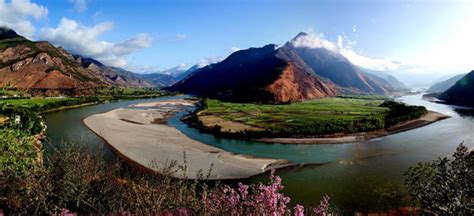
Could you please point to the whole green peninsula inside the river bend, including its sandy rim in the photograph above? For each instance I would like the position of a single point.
(322, 121)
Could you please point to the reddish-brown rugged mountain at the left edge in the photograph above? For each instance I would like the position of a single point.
(42, 69)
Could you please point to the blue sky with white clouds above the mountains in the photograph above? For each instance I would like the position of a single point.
(408, 38)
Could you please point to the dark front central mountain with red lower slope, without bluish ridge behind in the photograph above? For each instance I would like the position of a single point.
(266, 74)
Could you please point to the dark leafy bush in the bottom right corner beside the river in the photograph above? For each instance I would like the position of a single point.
(444, 186)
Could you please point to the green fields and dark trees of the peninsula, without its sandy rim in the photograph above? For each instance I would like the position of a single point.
(316, 117)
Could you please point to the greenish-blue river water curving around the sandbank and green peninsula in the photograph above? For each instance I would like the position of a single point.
(355, 175)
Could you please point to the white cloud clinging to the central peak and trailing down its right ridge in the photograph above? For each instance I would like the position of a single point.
(344, 48)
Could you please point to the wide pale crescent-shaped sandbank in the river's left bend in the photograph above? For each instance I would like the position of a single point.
(141, 137)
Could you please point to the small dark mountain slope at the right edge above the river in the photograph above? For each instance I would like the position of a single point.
(461, 93)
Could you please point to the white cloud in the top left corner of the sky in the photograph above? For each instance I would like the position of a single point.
(17, 15)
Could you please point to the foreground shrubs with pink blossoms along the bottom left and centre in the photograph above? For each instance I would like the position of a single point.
(77, 180)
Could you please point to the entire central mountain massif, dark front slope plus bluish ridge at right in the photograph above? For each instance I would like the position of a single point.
(281, 74)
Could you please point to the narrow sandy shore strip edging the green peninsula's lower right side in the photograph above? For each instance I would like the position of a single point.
(429, 118)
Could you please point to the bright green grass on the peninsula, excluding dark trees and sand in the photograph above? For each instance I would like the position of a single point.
(295, 114)
